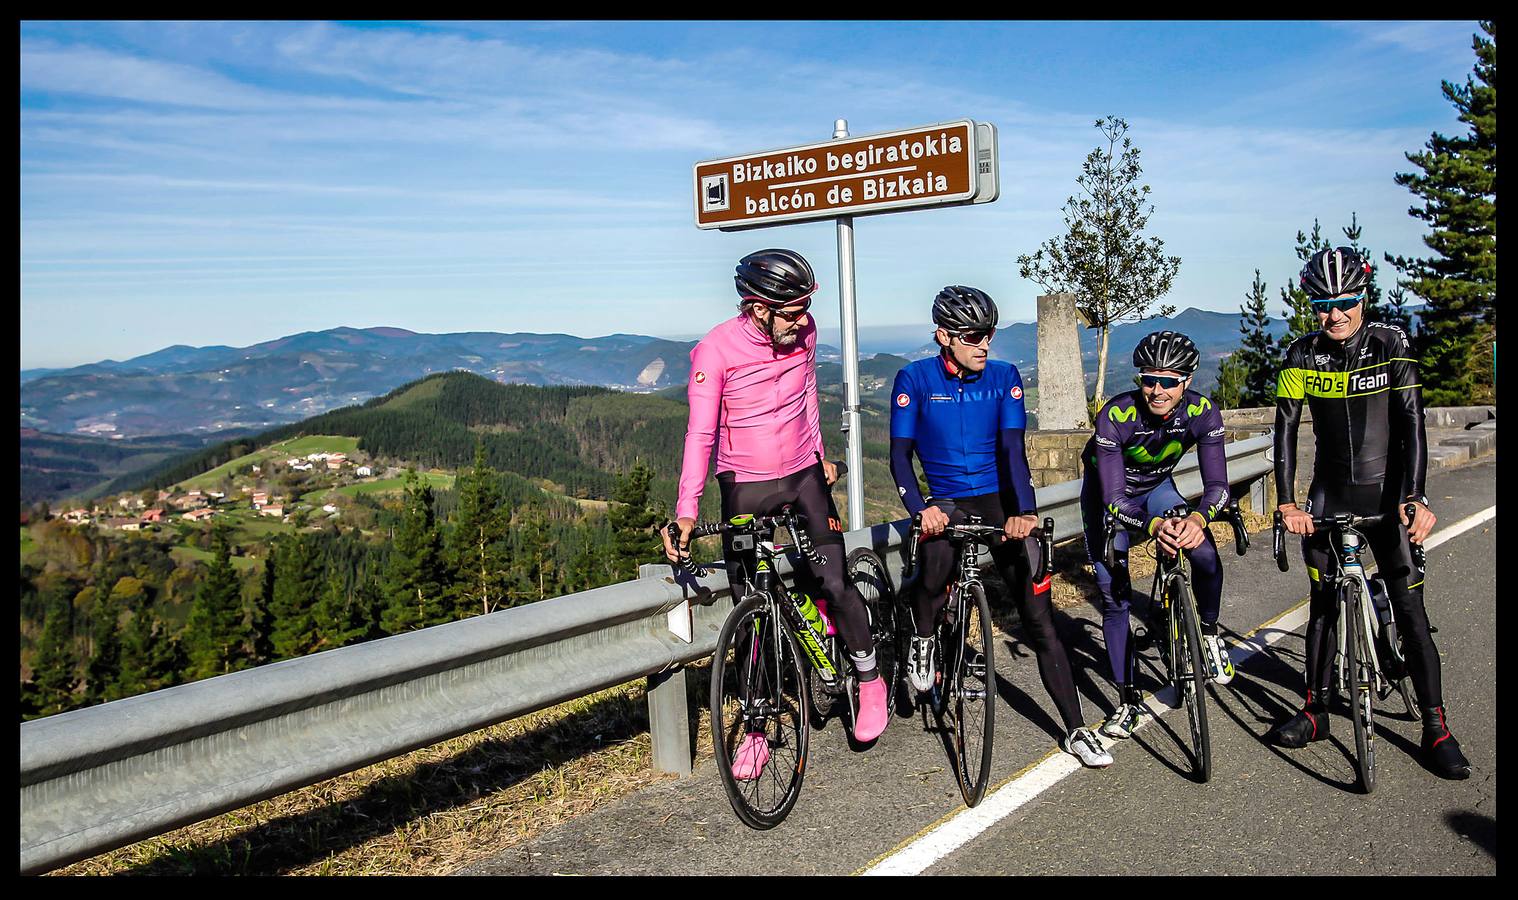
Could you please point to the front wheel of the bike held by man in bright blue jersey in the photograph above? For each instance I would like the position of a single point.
(972, 696)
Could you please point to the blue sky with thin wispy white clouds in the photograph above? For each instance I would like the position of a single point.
(231, 183)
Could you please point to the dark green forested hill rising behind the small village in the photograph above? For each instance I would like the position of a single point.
(575, 441)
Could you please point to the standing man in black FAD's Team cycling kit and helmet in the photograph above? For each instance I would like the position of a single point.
(1362, 386)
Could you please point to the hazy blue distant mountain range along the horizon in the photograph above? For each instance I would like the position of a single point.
(187, 391)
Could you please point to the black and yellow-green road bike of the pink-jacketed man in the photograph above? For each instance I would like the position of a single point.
(770, 650)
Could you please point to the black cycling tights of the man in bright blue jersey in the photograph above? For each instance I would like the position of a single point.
(1015, 562)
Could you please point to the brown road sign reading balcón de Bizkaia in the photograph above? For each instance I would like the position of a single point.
(930, 166)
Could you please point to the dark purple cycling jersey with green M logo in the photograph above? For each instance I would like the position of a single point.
(1135, 452)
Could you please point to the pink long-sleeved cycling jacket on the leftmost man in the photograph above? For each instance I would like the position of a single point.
(757, 404)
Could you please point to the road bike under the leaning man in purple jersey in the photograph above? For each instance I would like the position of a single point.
(1171, 602)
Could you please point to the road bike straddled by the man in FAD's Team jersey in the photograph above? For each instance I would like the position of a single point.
(1359, 673)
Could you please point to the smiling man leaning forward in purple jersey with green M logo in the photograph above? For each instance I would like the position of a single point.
(1141, 436)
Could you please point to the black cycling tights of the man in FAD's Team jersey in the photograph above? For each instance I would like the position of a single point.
(1403, 584)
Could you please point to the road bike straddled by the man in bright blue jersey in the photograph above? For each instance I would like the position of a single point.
(963, 697)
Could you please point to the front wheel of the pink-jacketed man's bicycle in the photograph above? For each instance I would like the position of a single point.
(758, 688)
